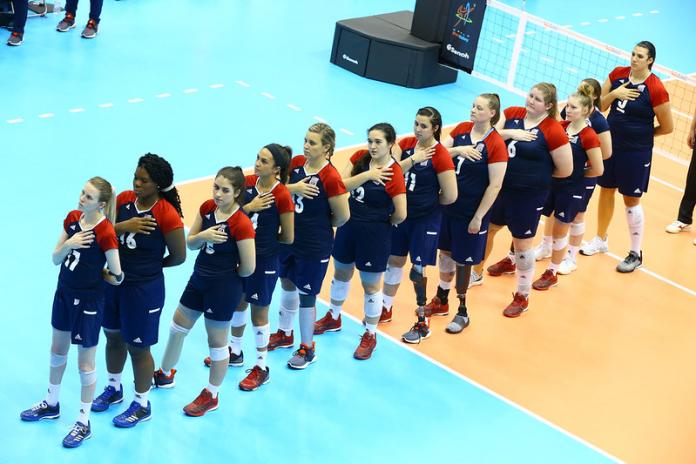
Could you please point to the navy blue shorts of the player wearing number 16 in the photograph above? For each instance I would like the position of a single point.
(134, 308)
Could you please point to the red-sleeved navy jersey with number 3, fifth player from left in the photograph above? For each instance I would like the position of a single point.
(313, 230)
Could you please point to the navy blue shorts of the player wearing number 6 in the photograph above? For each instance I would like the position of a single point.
(520, 211)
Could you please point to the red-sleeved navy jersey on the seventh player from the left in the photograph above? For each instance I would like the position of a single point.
(422, 186)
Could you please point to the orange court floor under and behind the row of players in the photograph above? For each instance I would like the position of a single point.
(606, 356)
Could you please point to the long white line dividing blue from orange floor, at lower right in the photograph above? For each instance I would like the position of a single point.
(487, 390)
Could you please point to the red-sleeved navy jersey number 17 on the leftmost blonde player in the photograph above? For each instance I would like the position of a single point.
(82, 268)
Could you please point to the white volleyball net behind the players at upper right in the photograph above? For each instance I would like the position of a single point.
(517, 49)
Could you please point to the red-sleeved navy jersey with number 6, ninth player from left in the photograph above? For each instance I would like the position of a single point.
(530, 166)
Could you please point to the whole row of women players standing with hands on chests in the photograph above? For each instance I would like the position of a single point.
(392, 200)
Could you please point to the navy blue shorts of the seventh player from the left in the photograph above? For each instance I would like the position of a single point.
(418, 238)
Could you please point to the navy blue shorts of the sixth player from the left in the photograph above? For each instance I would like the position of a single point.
(367, 244)
